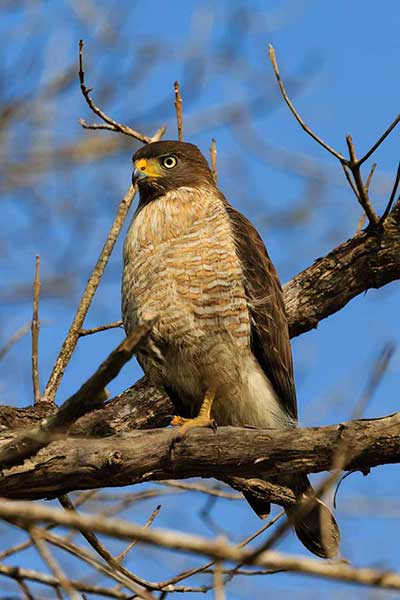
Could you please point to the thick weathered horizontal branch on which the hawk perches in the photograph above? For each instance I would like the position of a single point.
(81, 463)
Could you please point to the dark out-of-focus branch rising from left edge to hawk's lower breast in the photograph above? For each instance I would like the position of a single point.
(89, 396)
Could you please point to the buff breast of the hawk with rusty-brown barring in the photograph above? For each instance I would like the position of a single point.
(180, 264)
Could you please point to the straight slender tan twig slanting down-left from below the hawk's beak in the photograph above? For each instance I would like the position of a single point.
(72, 337)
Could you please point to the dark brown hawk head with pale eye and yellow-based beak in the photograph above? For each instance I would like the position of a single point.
(165, 166)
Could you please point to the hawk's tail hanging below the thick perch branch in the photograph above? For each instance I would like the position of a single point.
(316, 528)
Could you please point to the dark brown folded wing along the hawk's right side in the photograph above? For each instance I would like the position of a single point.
(269, 330)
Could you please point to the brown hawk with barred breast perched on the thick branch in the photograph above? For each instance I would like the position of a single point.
(220, 347)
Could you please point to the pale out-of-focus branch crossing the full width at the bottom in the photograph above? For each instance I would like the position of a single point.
(29, 514)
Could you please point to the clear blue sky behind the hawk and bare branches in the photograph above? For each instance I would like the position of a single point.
(340, 61)
